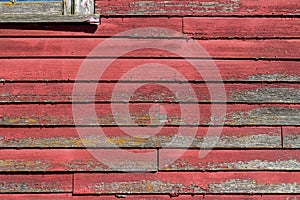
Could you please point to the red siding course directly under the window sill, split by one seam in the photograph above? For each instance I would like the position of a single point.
(204, 27)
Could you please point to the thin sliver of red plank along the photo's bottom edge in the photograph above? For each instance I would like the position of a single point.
(146, 197)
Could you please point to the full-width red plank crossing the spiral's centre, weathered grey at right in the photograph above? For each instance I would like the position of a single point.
(139, 114)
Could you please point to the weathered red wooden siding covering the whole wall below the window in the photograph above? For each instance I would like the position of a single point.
(255, 46)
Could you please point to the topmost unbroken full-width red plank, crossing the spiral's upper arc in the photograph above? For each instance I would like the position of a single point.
(74, 47)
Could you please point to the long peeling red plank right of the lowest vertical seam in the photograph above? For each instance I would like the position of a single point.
(177, 183)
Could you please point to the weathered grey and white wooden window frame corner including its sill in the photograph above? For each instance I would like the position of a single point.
(49, 11)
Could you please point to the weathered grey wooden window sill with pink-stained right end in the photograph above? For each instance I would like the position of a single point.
(34, 18)
